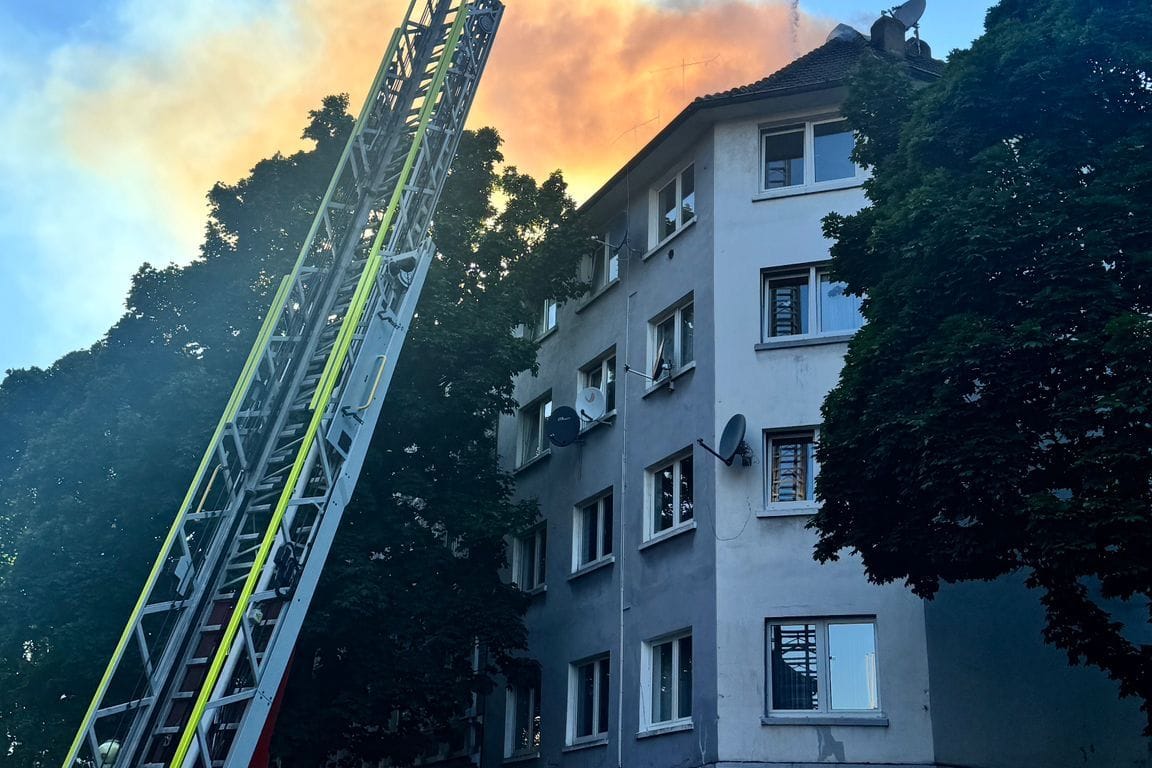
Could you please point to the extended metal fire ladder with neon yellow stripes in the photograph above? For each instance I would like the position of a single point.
(209, 642)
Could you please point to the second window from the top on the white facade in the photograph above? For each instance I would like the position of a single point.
(790, 309)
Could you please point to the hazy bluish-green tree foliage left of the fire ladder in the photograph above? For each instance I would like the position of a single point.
(97, 450)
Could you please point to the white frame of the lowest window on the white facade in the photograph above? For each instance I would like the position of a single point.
(823, 664)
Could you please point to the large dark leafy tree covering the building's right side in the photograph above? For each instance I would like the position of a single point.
(994, 415)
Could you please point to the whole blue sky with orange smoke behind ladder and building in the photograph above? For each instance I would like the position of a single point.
(122, 115)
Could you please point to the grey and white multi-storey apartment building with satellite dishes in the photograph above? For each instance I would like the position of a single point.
(678, 614)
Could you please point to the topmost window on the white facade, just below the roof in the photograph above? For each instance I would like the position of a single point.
(807, 154)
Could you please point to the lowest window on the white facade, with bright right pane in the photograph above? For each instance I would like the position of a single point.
(823, 666)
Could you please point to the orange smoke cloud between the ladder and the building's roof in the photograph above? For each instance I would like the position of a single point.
(582, 87)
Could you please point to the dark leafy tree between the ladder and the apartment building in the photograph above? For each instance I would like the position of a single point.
(385, 666)
